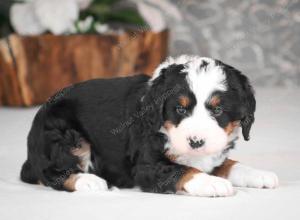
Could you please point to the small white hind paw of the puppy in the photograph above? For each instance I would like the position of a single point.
(90, 182)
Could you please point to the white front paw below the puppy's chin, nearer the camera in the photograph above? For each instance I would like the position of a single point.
(203, 184)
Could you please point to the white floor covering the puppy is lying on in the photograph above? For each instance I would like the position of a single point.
(275, 145)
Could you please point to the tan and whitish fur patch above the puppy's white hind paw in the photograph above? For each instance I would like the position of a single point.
(84, 154)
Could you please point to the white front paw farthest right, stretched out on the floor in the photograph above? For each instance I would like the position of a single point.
(244, 176)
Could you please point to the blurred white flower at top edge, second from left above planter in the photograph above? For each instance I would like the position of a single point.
(58, 16)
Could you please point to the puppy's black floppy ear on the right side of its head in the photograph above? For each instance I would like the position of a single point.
(248, 105)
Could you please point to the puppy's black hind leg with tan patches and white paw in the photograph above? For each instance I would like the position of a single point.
(68, 159)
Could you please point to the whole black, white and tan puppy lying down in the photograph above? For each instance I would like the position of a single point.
(171, 133)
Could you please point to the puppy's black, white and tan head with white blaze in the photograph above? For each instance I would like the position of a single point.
(199, 103)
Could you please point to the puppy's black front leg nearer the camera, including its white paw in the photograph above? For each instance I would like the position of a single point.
(165, 178)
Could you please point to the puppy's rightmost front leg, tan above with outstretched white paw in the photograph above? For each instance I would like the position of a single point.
(245, 176)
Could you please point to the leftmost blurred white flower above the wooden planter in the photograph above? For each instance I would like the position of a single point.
(24, 20)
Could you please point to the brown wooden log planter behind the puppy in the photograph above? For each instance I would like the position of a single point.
(34, 68)
